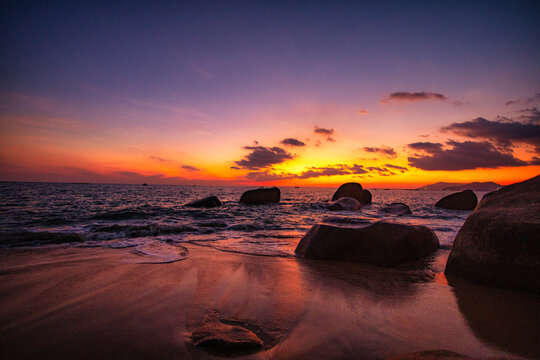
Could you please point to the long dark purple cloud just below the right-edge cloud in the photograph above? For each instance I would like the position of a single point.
(461, 156)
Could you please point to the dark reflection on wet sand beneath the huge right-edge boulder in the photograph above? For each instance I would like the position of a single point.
(506, 319)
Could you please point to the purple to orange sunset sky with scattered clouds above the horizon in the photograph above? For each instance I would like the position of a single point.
(387, 94)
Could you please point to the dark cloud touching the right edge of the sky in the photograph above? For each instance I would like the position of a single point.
(503, 131)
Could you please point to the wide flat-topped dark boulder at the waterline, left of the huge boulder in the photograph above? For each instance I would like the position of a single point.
(380, 243)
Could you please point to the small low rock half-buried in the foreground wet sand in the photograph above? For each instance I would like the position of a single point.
(215, 334)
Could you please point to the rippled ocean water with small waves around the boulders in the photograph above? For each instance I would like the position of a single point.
(153, 222)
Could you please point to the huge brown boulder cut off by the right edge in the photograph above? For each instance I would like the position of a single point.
(499, 243)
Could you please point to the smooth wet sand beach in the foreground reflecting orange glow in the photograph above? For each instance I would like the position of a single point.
(95, 303)
